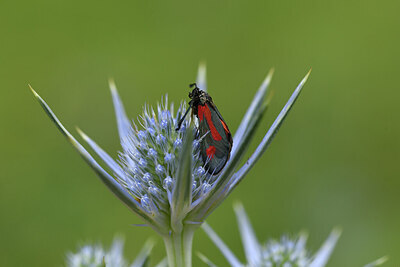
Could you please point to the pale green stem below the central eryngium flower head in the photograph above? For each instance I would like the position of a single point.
(179, 247)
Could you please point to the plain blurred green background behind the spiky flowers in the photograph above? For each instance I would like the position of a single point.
(335, 162)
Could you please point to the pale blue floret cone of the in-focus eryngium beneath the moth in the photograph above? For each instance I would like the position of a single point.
(150, 158)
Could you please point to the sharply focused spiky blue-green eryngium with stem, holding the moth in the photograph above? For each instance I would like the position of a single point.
(158, 173)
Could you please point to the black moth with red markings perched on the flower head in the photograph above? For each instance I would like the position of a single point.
(216, 143)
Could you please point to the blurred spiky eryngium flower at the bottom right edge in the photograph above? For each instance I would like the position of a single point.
(286, 252)
